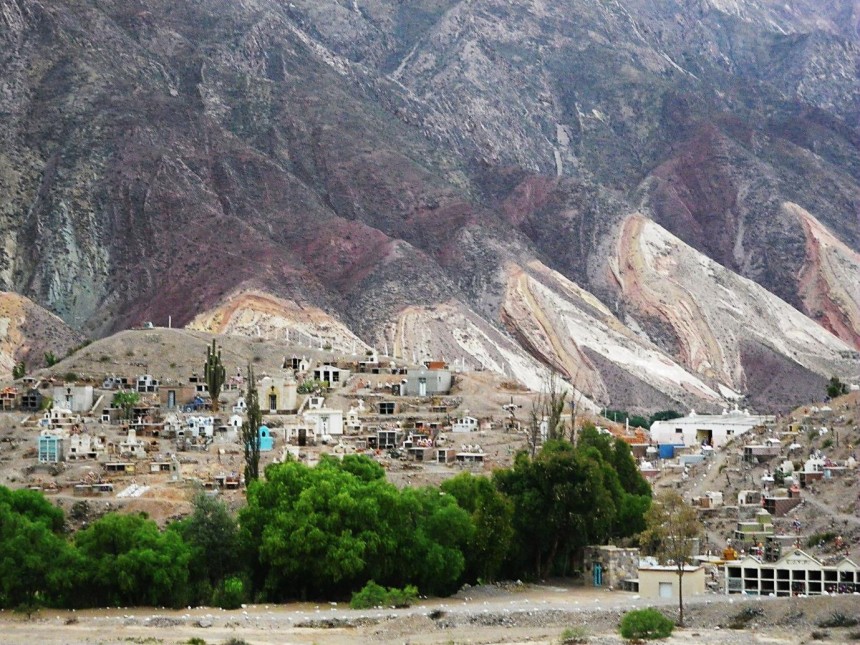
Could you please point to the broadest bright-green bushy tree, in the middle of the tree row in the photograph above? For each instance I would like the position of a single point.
(328, 530)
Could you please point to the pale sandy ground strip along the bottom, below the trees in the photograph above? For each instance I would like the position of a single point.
(527, 614)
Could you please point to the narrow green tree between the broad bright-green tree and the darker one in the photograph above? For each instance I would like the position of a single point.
(492, 515)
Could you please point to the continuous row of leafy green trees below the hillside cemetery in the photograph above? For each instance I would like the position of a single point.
(324, 532)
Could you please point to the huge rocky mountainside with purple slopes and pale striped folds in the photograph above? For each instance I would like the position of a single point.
(653, 198)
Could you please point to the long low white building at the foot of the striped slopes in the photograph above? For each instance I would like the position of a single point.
(713, 430)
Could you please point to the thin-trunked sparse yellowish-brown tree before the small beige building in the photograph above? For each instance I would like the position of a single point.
(673, 525)
